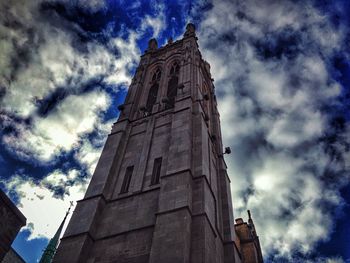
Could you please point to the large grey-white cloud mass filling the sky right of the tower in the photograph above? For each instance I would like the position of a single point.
(283, 115)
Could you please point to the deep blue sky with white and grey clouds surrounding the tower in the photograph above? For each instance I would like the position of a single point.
(282, 77)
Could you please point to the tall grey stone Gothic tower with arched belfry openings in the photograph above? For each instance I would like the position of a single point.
(160, 191)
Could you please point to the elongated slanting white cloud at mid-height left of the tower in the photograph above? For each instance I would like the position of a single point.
(59, 131)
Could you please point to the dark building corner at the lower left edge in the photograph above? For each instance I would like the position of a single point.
(11, 221)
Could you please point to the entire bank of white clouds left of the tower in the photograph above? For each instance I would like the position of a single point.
(54, 92)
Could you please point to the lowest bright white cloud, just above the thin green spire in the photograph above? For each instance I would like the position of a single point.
(45, 211)
